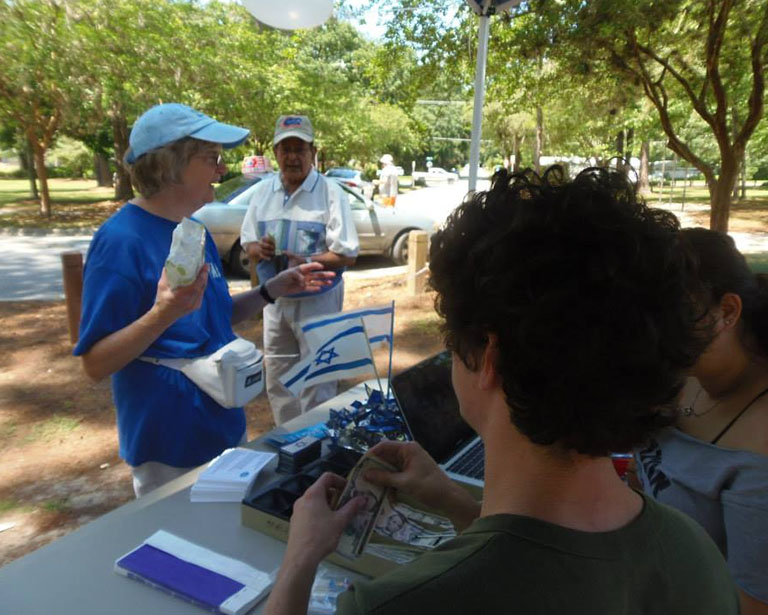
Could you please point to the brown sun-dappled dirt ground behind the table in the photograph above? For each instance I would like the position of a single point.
(60, 467)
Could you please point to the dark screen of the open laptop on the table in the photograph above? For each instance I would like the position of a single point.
(425, 395)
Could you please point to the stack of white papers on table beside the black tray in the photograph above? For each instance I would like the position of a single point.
(228, 477)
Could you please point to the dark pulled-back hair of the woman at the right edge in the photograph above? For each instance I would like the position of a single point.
(720, 268)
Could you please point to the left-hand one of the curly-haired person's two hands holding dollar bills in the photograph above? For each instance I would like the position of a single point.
(315, 527)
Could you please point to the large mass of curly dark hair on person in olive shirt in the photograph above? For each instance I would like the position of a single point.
(586, 289)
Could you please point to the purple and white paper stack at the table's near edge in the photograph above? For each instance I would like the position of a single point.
(196, 574)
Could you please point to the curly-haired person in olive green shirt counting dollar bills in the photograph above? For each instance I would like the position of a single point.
(566, 306)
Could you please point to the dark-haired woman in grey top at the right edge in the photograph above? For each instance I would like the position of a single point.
(713, 465)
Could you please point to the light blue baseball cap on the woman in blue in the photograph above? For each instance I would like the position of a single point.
(169, 122)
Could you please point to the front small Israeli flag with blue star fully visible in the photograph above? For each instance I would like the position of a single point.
(344, 353)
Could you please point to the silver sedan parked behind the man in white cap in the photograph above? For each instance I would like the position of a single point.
(381, 230)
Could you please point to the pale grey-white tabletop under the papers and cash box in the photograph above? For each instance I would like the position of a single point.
(74, 575)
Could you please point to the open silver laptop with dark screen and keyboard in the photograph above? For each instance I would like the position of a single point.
(429, 406)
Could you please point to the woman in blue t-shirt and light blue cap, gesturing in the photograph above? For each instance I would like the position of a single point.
(166, 424)
